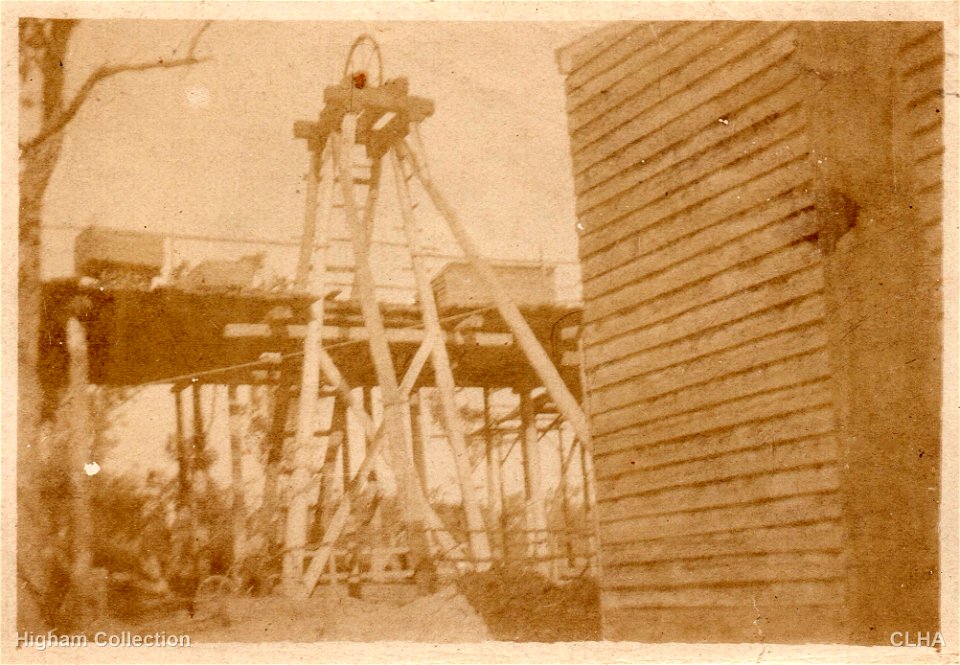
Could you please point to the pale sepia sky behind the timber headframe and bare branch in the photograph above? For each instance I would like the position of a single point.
(209, 149)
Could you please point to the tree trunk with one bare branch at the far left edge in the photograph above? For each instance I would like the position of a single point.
(43, 48)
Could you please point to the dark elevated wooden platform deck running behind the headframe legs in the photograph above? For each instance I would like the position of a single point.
(169, 335)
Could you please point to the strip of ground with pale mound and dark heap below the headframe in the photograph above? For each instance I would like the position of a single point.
(499, 605)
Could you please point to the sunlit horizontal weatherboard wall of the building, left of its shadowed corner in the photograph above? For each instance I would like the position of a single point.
(705, 347)
